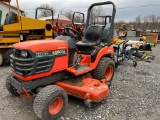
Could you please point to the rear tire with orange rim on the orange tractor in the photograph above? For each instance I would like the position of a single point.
(104, 69)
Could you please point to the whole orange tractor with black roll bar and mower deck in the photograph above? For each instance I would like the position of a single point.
(50, 70)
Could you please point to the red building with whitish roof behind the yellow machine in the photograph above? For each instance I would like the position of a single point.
(63, 20)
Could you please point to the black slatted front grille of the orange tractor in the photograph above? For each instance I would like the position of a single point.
(30, 65)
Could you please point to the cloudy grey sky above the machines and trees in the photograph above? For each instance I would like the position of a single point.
(126, 10)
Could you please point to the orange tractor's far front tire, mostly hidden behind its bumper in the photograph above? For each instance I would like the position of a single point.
(9, 87)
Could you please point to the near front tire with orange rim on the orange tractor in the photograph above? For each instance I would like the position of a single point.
(50, 102)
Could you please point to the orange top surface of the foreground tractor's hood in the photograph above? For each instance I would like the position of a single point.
(41, 45)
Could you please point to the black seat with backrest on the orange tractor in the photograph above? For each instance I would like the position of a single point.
(93, 36)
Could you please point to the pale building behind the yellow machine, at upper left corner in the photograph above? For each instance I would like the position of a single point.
(4, 10)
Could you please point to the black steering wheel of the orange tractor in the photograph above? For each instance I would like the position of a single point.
(71, 32)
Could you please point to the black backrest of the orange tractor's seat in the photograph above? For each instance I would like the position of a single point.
(93, 34)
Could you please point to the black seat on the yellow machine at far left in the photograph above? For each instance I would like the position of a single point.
(10, 19)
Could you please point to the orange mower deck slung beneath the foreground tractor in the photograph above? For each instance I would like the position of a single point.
(85, 88)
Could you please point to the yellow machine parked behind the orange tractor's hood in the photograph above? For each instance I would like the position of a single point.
(19, 28)
